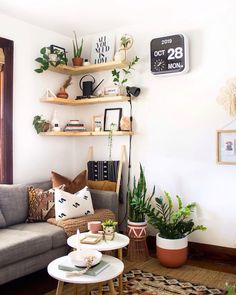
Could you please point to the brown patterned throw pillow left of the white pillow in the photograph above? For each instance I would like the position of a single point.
(41, 204)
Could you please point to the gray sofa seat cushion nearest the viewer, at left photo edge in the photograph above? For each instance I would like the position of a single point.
(17, 245)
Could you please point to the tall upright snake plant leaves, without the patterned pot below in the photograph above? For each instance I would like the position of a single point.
(139, 204)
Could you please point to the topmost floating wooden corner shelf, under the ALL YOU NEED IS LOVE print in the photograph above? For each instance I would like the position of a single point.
(69, 70)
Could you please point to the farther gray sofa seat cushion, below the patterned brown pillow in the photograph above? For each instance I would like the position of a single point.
(56, 233)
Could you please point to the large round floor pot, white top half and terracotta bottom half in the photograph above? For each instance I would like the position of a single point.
(172, 252)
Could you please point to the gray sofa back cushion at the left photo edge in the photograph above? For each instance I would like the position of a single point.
(13, 203)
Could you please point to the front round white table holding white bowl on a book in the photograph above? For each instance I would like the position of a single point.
(114, 269)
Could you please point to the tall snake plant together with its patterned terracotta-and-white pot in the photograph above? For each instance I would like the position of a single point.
(139, 204)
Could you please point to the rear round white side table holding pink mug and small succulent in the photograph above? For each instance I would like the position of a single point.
(119, 242)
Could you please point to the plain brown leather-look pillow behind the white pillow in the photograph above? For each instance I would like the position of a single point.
(73, 186)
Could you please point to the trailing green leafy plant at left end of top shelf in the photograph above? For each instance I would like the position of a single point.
(44, 59)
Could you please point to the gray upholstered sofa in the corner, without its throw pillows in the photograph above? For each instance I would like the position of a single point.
(29, 247)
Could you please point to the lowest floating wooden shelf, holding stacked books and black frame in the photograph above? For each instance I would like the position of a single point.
(86, 133)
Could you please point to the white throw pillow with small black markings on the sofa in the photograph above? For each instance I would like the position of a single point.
(73, 205)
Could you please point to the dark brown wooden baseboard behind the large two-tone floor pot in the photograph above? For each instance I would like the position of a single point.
(206, 251)
